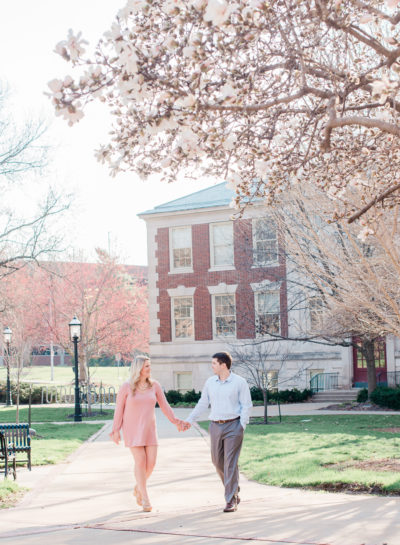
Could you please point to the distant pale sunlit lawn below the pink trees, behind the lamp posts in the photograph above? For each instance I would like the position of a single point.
(111, 376)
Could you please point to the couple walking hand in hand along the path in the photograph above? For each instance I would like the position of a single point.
(228, 395)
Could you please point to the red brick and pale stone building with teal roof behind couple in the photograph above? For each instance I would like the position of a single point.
(215, 283)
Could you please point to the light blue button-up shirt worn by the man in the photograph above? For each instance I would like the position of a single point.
(228, 398)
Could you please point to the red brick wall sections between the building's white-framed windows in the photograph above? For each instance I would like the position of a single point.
(243, 275)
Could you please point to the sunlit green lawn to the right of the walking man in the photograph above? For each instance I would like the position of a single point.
(323, 452)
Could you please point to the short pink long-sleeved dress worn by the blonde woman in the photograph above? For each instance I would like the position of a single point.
(136, 416)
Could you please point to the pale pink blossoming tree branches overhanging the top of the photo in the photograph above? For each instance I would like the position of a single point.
(262, 94)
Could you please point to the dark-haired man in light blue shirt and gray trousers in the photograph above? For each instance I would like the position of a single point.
(230, 400)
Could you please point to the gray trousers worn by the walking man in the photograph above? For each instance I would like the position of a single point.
(226, 443)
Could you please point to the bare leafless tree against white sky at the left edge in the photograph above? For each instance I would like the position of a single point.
(24, 237)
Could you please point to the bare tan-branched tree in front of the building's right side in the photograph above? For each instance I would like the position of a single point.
(349, 285)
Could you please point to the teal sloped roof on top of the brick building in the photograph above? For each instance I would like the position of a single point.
(216, 195)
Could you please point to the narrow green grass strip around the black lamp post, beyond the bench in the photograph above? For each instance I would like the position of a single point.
(50, 414)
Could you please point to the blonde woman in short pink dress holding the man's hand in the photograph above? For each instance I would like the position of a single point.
(135, 414)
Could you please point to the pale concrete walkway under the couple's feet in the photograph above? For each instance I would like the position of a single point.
(89, 500)
